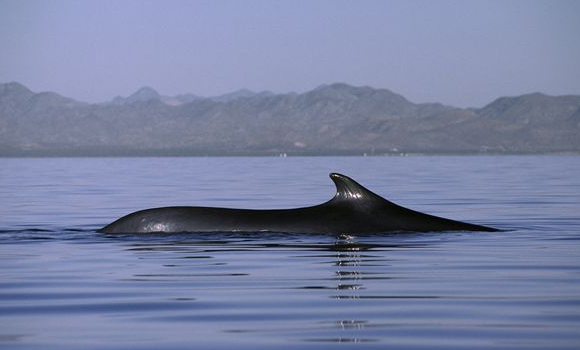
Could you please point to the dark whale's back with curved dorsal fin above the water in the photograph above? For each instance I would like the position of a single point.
(353, 210)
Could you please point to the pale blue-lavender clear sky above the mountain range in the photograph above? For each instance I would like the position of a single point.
(462, 53)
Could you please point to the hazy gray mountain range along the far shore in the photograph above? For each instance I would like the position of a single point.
(331, 119)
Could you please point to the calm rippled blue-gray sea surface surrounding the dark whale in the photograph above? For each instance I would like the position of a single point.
(63, 286)
